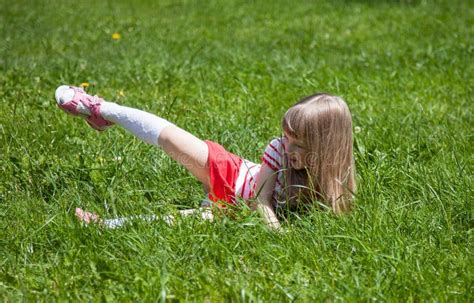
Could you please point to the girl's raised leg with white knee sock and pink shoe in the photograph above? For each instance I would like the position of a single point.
(182, 146)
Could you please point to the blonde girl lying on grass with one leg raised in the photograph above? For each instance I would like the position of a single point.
(311, 163)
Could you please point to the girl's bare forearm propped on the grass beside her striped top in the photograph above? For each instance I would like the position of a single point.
(264, 190)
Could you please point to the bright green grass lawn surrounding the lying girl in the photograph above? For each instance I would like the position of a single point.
(227, 71)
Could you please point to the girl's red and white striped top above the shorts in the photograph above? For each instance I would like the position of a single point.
(273, 157)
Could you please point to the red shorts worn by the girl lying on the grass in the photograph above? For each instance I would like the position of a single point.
(224, 169)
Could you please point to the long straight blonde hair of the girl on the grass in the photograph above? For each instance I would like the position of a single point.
(323, 122)
